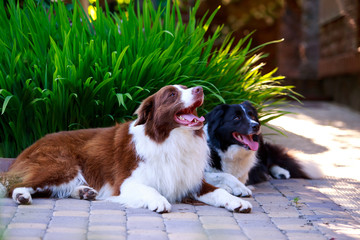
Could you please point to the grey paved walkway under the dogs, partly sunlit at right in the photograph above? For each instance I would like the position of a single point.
(326, 208)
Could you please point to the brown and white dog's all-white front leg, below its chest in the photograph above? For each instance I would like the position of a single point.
(137, 195)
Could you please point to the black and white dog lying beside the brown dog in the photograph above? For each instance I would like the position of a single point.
(239, 154)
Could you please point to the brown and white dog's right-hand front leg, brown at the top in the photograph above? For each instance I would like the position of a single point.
(220, 198)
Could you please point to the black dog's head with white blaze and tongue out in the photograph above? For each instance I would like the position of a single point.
(233, 124)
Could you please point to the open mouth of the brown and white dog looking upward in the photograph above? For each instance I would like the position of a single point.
(188, 116)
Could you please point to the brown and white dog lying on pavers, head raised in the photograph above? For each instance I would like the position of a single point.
(150, 162)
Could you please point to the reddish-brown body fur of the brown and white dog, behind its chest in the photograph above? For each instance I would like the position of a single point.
(100, 154)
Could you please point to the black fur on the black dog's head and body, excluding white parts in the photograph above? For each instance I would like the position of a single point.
(225, 119)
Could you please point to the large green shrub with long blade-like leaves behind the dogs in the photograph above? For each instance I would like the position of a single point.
(60, 71)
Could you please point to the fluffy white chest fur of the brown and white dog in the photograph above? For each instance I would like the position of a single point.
(175, 167)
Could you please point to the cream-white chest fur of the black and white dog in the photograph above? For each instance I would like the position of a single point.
(238, 161)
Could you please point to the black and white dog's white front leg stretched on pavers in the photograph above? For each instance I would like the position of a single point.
(227, 182)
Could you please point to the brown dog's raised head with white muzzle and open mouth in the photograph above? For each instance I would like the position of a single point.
(171, 107)
